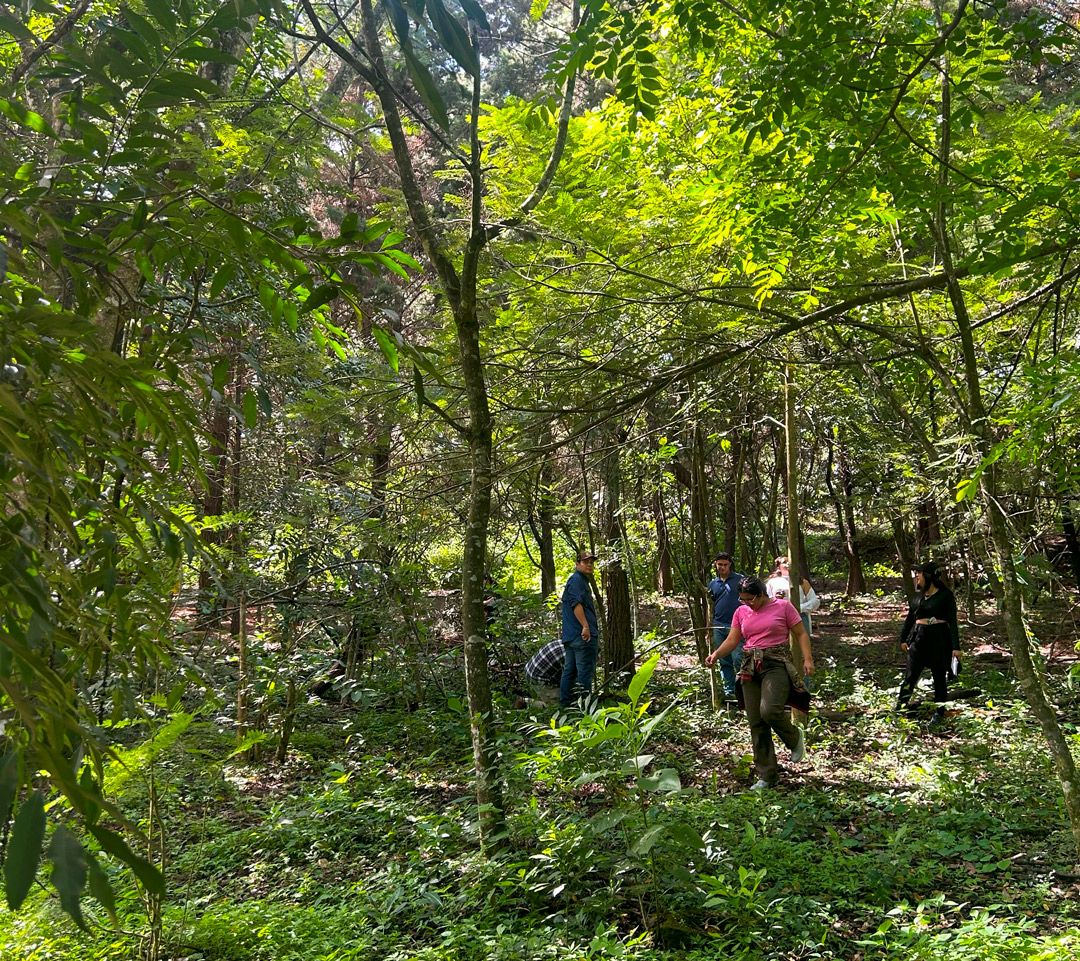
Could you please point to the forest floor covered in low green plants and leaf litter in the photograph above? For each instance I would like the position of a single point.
(892, 841)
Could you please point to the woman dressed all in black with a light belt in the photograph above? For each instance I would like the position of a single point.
(930, 638)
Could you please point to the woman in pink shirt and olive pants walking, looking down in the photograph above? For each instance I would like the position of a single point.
(768, 674)
